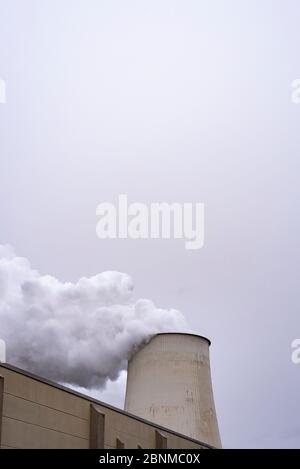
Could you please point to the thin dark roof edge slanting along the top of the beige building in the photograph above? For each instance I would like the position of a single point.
(28, 374)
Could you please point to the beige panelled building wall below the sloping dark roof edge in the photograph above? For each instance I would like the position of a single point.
(35, 413)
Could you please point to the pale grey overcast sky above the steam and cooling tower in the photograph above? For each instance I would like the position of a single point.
(172, 101)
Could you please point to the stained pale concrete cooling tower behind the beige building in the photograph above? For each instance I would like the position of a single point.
(169, 383)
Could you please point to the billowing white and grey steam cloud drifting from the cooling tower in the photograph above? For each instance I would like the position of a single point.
(78, 333)
